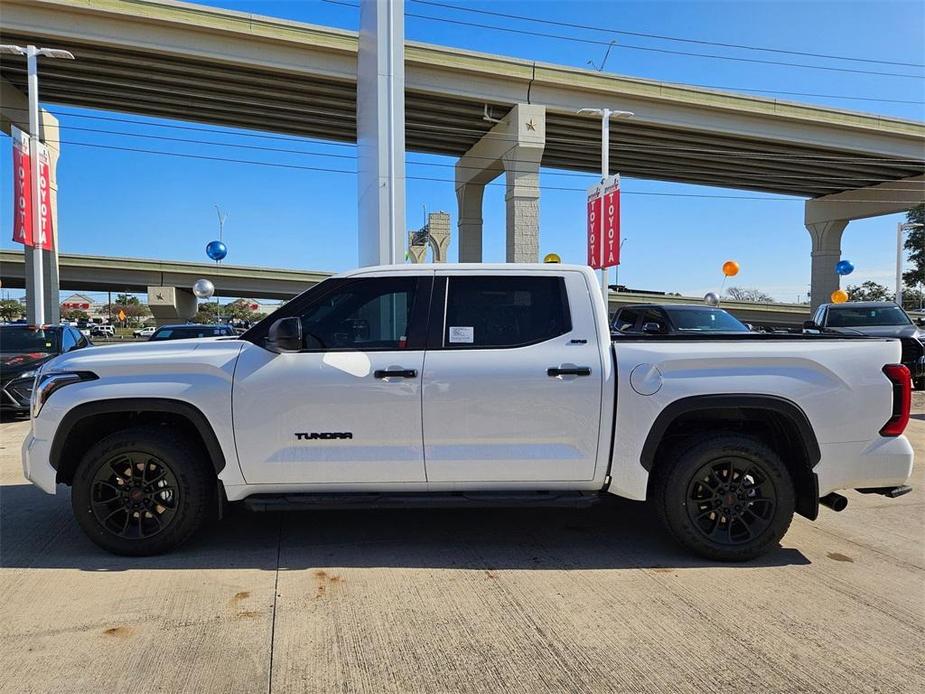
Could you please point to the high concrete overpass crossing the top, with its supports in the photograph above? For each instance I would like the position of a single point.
(198, 63)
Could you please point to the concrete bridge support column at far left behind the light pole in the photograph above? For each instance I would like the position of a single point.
(14, 107)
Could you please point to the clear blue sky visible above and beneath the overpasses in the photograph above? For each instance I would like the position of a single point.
(144, 205)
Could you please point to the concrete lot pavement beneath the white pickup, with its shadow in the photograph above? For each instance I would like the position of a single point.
(461, 601)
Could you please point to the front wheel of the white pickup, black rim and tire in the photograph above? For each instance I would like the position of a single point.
(142, 491)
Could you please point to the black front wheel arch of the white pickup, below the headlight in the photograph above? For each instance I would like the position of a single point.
(74, 439)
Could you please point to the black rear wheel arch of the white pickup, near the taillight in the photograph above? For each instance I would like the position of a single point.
(777, 429)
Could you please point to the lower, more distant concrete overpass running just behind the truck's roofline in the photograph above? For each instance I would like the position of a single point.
(100, 274)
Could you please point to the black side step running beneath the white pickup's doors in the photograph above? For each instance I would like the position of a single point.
(330, 501)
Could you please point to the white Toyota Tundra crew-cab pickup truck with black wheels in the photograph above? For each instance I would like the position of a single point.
(468, 385)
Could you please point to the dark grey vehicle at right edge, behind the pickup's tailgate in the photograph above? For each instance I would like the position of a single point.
(880, 319)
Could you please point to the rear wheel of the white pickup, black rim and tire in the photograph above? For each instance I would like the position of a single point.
(717, 518)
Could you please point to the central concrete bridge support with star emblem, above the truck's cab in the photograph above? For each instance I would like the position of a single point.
(514, 146)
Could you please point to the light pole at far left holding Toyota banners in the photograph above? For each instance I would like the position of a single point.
(32, 69)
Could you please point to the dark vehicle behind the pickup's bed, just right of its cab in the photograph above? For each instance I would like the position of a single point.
(675, 319)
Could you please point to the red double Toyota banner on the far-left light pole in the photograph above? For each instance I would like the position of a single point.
(23, 231)
